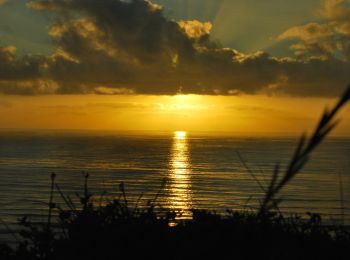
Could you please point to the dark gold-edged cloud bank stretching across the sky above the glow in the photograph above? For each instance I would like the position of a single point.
(114, 47)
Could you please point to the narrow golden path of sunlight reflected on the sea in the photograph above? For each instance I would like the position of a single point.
(180, 194)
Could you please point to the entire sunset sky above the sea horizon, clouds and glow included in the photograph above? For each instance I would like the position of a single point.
(235, 66)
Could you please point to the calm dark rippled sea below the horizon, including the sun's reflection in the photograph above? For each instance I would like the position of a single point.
(200, 171)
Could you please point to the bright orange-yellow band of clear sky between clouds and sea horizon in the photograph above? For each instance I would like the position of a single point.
(240, 115)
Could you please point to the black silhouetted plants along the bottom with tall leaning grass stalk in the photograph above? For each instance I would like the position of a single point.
(106, 227)
